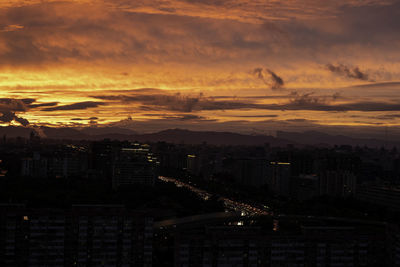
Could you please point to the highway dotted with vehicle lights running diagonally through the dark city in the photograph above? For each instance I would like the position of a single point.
(245, 209)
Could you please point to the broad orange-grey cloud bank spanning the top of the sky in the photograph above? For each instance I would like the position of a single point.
(54, 31)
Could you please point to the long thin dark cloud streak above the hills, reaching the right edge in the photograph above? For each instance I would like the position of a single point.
(297, 101)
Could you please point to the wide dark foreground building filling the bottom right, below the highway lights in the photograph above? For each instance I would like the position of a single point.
(287, 242)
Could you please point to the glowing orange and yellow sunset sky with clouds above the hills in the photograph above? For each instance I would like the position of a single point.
(235, 65)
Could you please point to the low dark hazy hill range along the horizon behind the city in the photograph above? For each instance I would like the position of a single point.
(197, 137)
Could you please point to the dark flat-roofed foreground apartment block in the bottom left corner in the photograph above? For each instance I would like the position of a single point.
(81, 236)
